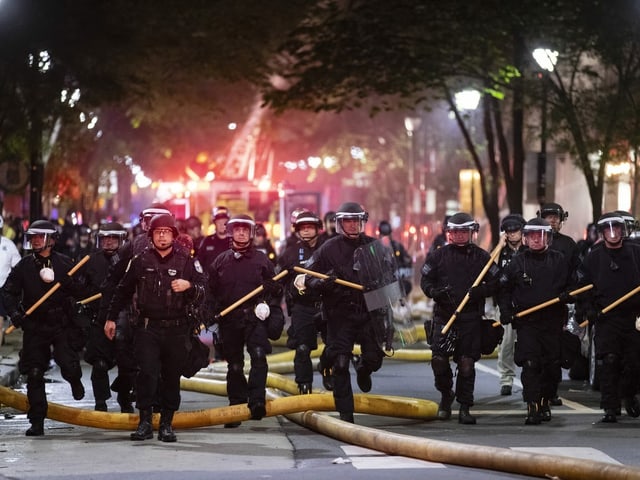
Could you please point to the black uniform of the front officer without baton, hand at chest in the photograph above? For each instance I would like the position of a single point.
(162, 332)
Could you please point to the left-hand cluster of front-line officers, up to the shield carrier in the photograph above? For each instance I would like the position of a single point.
(139, 304)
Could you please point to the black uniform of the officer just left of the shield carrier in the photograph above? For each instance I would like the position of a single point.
(305, 314)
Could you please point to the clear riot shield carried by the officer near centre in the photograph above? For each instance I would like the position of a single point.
(383, 293)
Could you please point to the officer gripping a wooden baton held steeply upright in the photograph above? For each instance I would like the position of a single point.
(447, 276)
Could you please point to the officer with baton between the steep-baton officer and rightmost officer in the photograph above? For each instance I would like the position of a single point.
(532, 277)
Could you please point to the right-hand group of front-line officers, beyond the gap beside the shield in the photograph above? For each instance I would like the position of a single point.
(537, 265)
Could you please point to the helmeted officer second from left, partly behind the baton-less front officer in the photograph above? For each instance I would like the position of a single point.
(100, 353)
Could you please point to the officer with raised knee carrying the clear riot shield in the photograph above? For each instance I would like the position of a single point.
(345, 310)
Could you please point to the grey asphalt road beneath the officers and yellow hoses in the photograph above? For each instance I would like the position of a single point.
(278, 447)
